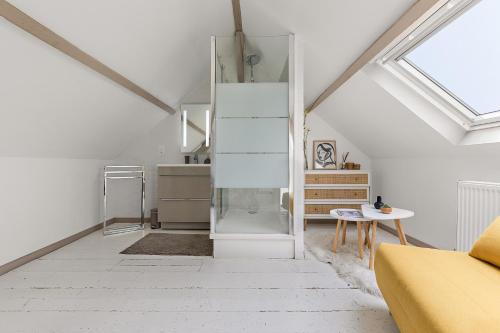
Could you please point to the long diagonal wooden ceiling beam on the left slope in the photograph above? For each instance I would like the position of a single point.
(30, 25)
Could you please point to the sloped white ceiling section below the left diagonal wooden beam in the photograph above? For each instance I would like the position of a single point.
(52, 106)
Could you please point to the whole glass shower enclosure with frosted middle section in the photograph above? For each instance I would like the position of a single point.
(252, 137)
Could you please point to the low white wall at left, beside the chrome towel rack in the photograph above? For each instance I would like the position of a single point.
(45, 200)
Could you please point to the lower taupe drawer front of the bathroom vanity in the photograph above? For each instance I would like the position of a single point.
(184, 211)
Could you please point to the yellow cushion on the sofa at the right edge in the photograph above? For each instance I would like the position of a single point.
(487, 247)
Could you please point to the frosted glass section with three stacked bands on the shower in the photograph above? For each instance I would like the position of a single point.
(251, 135)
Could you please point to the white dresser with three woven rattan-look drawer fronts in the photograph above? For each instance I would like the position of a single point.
(325, 190)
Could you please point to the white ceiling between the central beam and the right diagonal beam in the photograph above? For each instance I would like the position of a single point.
(334, 32)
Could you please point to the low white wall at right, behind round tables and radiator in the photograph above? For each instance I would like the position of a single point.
(428, 185)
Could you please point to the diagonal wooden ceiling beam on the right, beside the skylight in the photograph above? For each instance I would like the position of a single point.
(411, 16)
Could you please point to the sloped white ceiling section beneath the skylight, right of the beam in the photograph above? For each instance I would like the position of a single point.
(382, 127)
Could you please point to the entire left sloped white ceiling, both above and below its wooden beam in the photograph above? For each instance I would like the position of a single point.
(53, 106)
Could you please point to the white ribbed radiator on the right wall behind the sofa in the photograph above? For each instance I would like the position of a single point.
(478, 205)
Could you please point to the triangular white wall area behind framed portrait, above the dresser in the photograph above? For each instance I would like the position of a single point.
(321, 130)
